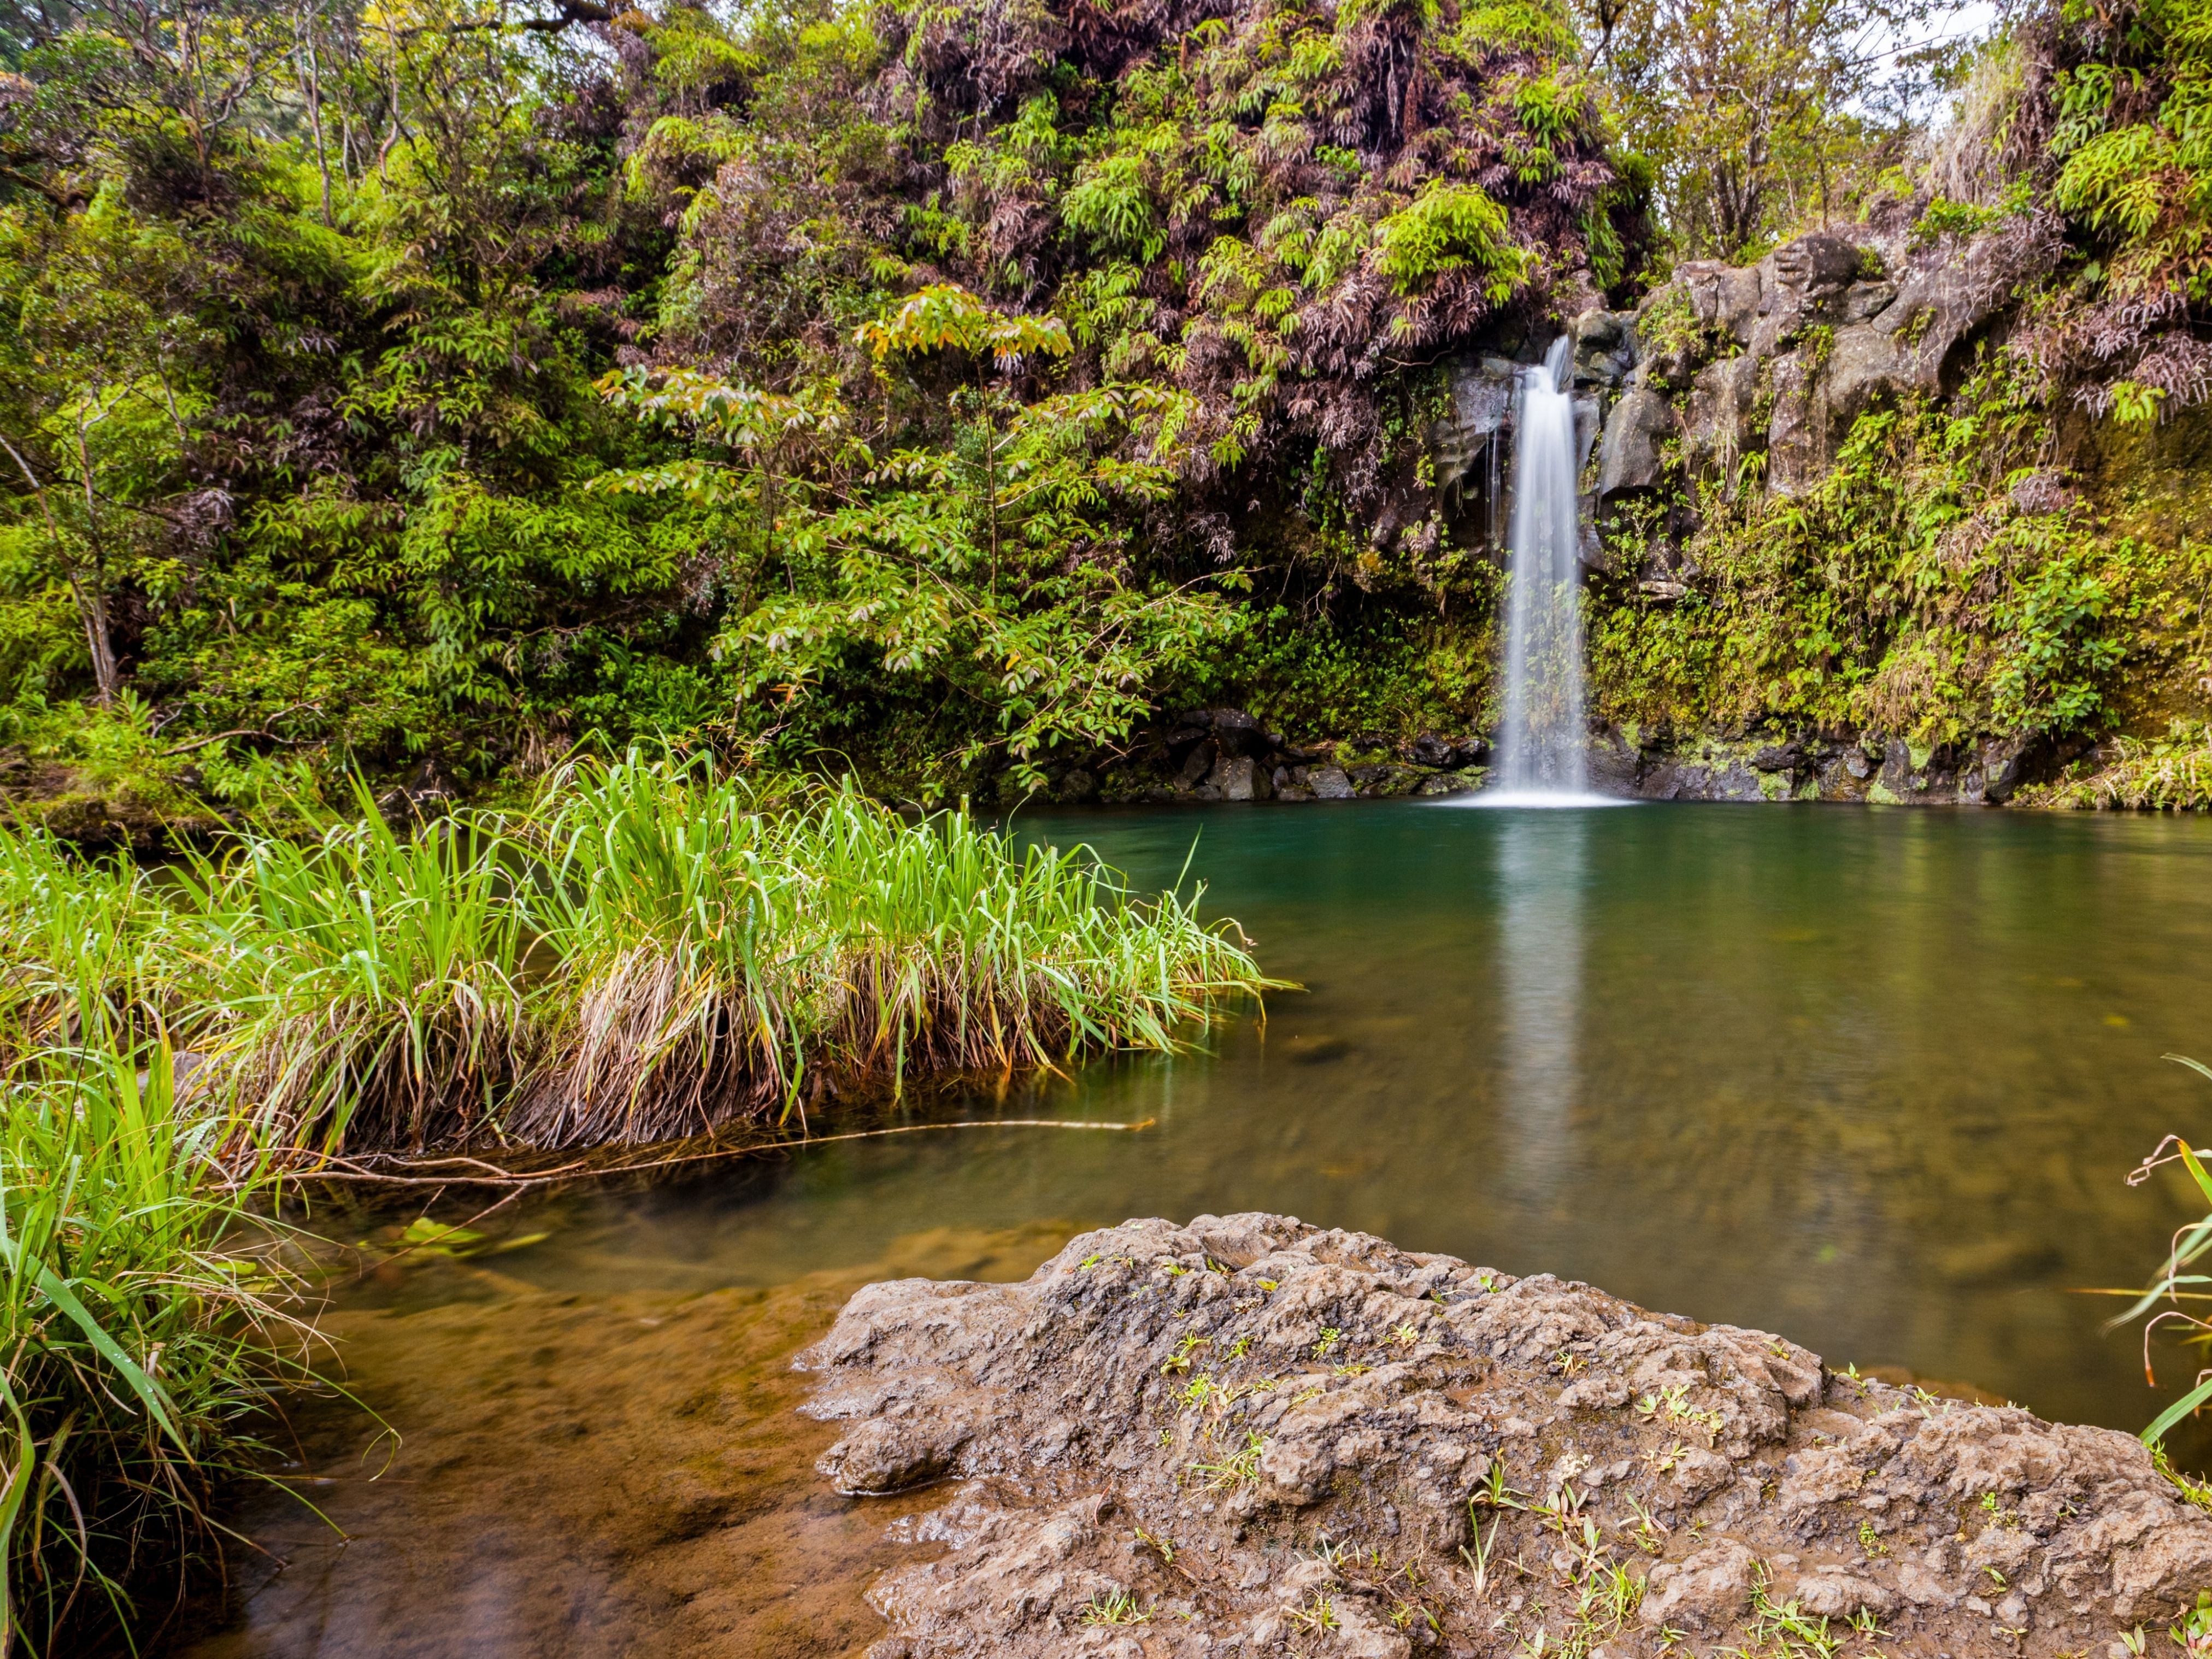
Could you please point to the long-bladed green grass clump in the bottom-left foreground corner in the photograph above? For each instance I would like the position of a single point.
(134, 1342)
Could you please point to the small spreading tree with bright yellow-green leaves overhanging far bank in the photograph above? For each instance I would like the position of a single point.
(994, 567)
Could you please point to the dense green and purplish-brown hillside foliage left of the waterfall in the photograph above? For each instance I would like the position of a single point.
(917, 410)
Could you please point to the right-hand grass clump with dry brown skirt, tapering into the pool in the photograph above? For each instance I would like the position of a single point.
(718, 952)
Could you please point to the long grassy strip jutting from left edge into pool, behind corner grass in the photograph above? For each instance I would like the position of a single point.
(649, 952)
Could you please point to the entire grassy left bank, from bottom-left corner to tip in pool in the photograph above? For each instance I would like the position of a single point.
(649, 954)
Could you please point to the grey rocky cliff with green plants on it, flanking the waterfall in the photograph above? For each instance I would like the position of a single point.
(1948, 614)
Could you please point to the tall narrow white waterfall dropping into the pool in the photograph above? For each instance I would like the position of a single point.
(1545, 740)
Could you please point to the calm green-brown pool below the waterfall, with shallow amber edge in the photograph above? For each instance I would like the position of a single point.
(1866, 1078)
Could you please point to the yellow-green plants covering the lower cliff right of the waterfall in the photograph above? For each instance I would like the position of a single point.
(1903, 594)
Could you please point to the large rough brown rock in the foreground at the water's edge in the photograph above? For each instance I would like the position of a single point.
(1251, 1437)
